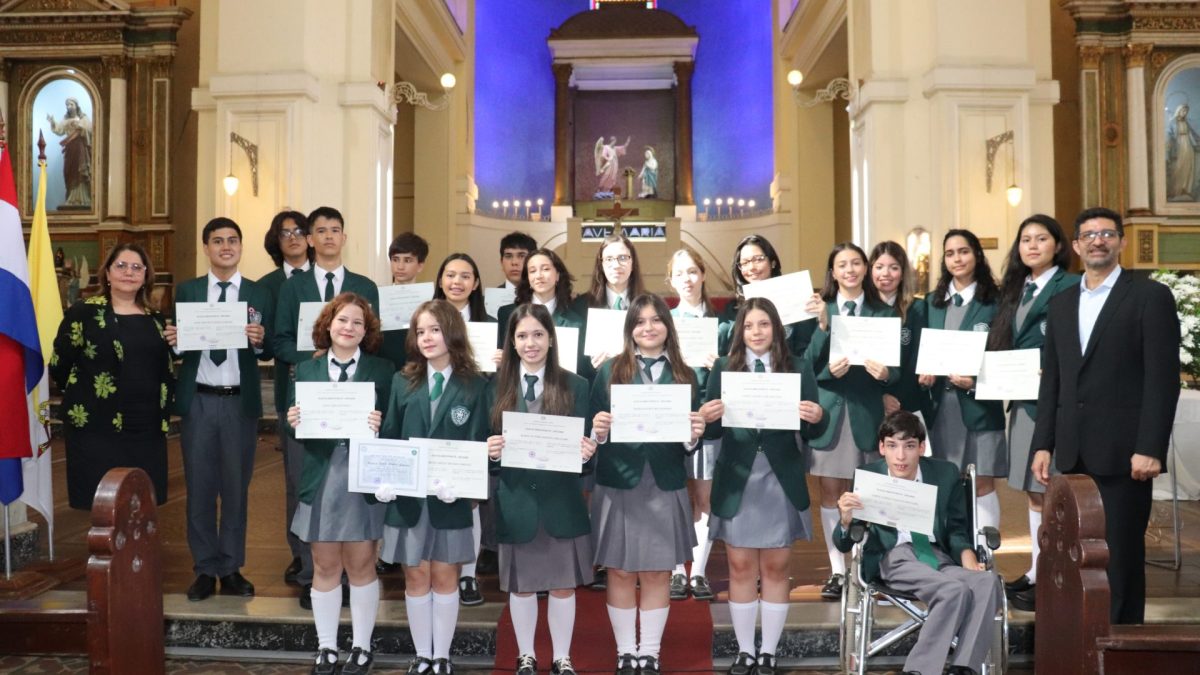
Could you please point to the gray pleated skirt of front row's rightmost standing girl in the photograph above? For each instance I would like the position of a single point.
(766, 519)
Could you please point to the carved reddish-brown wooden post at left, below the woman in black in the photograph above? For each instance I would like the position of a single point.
(125, 577)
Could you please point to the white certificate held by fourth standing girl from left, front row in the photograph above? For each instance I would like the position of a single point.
(651, 414)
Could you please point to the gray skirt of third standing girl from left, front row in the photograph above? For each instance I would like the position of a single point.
(547, 564)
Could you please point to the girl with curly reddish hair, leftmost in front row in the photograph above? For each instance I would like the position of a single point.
(343, 528)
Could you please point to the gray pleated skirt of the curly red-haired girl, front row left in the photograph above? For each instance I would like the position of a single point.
(337, 515)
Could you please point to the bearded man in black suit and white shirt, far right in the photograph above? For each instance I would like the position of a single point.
(1111, 381)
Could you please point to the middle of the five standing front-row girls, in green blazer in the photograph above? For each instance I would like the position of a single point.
(542, 519)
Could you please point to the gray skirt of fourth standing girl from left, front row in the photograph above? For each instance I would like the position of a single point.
(643, 530)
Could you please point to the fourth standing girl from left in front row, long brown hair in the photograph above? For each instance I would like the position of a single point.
(641, 517)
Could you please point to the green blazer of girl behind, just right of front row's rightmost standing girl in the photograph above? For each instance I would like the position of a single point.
(857, 392)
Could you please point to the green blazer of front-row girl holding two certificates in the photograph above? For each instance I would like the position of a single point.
(407, 416)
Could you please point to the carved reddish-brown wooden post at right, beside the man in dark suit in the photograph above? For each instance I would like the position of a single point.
(1073, 584)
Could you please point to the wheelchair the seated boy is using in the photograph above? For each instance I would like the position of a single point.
(860, 600)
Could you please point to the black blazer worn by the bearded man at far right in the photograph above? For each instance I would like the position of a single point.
(1118, 397)
